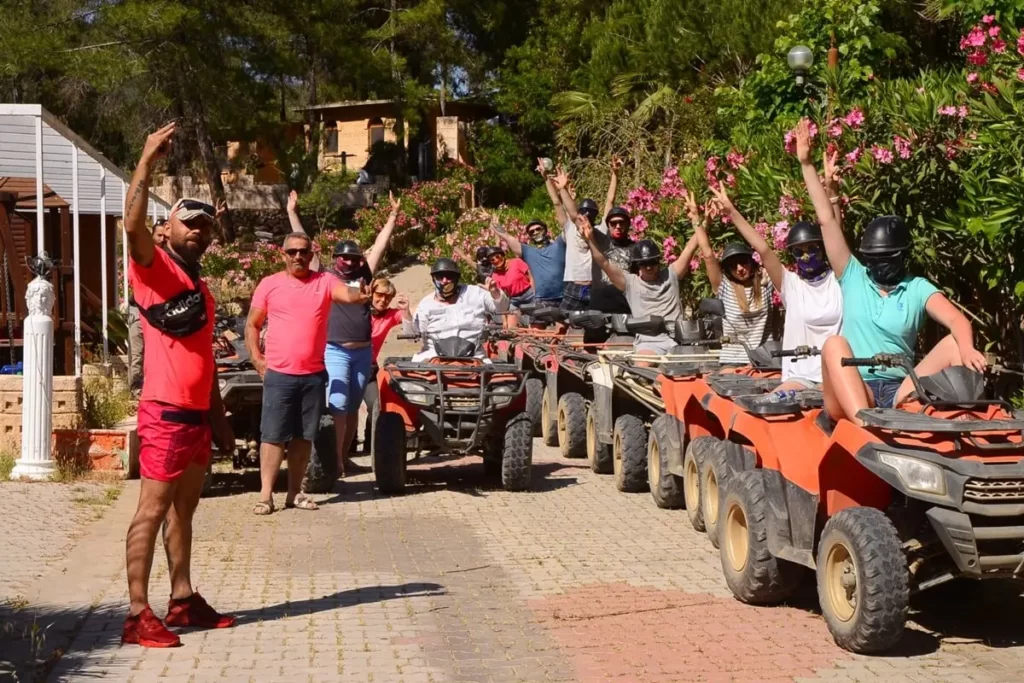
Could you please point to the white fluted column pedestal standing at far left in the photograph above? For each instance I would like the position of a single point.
(36, 461)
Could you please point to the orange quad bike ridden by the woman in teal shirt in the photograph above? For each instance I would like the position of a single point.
(923, 494)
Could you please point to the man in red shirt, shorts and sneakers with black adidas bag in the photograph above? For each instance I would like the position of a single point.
(181, 409)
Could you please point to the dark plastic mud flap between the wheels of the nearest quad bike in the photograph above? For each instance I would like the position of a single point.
(792, 519)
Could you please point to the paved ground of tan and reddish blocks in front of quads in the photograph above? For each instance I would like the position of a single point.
(459, 581)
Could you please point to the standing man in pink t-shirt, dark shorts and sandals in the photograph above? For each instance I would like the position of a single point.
(296, 304)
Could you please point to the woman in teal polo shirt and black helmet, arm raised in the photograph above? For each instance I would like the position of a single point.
(883, 310)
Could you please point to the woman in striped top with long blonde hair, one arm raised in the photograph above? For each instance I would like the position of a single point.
(745, 292)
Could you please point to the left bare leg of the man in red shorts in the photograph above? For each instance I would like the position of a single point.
(154, 501)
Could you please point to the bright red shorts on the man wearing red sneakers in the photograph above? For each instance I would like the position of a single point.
(172, 439)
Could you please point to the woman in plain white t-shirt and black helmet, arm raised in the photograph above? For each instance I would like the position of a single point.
(812, 295)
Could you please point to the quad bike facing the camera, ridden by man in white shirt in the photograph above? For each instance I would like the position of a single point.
(452, 404)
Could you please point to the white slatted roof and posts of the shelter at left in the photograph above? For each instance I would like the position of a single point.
(33, 141)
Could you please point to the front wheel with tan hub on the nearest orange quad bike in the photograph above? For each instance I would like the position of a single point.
(864, 583)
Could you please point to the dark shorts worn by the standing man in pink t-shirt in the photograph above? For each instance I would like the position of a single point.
(292, 407)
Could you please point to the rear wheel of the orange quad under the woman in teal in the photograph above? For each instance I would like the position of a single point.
(754, 575)
